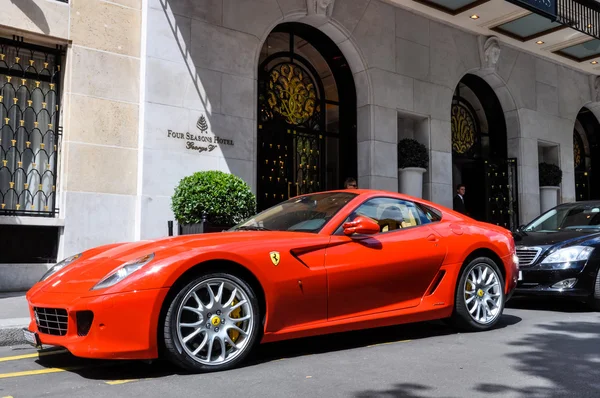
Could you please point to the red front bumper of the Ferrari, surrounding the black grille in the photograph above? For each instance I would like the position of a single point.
(124, 325)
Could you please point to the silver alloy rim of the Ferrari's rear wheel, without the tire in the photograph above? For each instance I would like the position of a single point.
(483, 294)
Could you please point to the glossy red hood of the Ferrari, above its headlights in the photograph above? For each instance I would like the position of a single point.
(95, 264)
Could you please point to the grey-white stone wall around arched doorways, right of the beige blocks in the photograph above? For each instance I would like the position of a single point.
(202, 61)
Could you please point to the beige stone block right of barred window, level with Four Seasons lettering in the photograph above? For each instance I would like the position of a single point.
(104, 122)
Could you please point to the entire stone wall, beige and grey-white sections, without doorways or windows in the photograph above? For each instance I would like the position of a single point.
(186, 61)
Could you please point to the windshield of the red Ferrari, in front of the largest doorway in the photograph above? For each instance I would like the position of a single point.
(307, 213)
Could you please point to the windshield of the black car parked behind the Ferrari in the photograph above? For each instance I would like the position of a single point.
(582, 216)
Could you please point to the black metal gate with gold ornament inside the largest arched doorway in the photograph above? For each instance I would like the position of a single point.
(290, 141)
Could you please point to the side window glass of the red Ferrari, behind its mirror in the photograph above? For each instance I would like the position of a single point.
(393, 214)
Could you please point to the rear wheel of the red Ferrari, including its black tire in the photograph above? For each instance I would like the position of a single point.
(482, 294)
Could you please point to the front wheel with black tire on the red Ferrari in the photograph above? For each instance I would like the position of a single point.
(204, 323)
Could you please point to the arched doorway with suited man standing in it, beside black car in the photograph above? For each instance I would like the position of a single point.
(480, 156)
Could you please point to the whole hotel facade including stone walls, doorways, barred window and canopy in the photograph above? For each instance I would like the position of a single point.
(106, 105)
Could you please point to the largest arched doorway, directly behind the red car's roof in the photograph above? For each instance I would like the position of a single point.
(306, 115)
